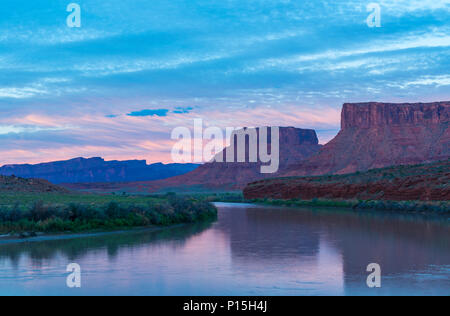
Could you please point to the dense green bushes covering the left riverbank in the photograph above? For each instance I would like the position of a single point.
(54, 214)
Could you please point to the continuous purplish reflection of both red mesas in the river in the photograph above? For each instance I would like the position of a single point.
(400, 243)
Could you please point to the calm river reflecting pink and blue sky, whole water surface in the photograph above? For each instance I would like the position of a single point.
(250, 250)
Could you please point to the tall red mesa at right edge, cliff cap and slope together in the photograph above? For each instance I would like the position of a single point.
(375, 135)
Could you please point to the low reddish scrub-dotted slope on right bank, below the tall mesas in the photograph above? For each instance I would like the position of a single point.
(426, 182)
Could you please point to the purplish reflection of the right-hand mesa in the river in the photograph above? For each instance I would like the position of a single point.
(401, 244)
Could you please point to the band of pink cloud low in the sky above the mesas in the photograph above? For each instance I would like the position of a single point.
(125, 137)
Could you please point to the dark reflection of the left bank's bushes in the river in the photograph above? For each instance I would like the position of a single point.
(73, 249)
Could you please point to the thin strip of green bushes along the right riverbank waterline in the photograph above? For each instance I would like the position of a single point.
(435, 207)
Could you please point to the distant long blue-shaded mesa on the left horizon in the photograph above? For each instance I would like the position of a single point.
(81, 170)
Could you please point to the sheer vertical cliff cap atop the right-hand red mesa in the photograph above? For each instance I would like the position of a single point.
(375, 114)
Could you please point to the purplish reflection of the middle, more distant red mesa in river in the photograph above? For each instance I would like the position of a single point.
(263, 234)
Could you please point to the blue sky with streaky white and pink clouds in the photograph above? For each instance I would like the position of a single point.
(118, 85)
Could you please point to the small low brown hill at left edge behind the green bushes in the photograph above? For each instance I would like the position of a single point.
(14, 184)
